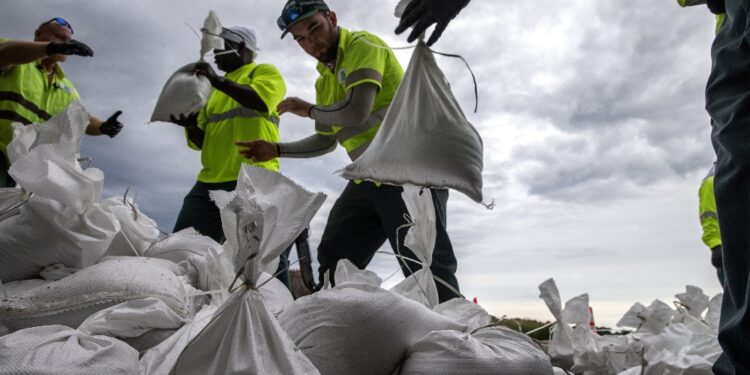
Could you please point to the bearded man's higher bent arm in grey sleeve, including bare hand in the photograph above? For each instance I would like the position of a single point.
(350, 112)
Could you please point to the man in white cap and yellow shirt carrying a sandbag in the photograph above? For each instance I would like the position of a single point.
(242, 106)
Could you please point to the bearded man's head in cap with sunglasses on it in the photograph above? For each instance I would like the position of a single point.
(314, 27)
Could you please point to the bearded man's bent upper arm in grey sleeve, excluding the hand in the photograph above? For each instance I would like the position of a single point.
(352, 111)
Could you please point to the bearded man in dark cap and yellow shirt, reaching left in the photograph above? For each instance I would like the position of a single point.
(359, 75)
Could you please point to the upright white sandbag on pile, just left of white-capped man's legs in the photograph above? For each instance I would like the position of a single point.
(137, 231)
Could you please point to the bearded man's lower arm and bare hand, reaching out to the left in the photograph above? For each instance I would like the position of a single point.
(310, 147)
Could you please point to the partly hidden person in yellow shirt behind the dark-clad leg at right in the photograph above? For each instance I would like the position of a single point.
(710, 222)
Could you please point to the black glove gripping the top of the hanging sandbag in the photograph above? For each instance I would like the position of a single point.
(421, 14)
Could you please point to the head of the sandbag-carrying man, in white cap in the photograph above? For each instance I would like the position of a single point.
(240, 48)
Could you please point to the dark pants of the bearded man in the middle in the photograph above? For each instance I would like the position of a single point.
(365, 215)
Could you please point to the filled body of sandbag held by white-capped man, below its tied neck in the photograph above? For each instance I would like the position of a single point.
(183, 94)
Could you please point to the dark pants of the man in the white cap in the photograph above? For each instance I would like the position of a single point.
(200, 212)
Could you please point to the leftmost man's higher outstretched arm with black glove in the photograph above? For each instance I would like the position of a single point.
(16, 52)
